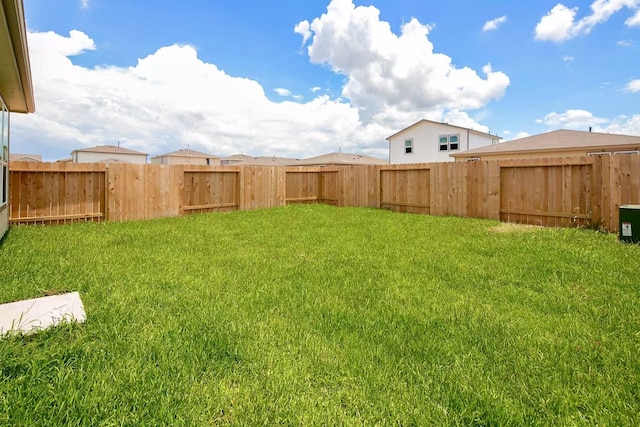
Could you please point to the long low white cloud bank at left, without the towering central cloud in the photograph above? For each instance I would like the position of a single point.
(172, 98)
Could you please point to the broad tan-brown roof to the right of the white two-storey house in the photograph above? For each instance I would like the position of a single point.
(560, 140)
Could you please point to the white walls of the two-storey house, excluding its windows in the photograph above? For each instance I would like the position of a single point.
(426, 143)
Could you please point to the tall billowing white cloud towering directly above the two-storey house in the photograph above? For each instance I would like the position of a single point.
(387, 71)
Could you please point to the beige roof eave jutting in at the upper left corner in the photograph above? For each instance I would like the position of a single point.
(15, 70)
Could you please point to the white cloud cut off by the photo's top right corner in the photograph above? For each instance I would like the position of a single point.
(560, 25)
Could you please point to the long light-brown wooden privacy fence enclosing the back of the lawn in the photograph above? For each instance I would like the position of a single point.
(548, 192)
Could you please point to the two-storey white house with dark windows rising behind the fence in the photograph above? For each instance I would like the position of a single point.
(427, 141)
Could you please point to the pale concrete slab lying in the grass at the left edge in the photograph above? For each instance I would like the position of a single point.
(30, 316)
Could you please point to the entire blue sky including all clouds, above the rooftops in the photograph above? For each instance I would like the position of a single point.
(298, 79)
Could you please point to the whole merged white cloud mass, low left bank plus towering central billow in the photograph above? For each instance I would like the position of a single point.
(171, 98)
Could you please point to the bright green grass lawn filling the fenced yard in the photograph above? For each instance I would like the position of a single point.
(315, 315)
